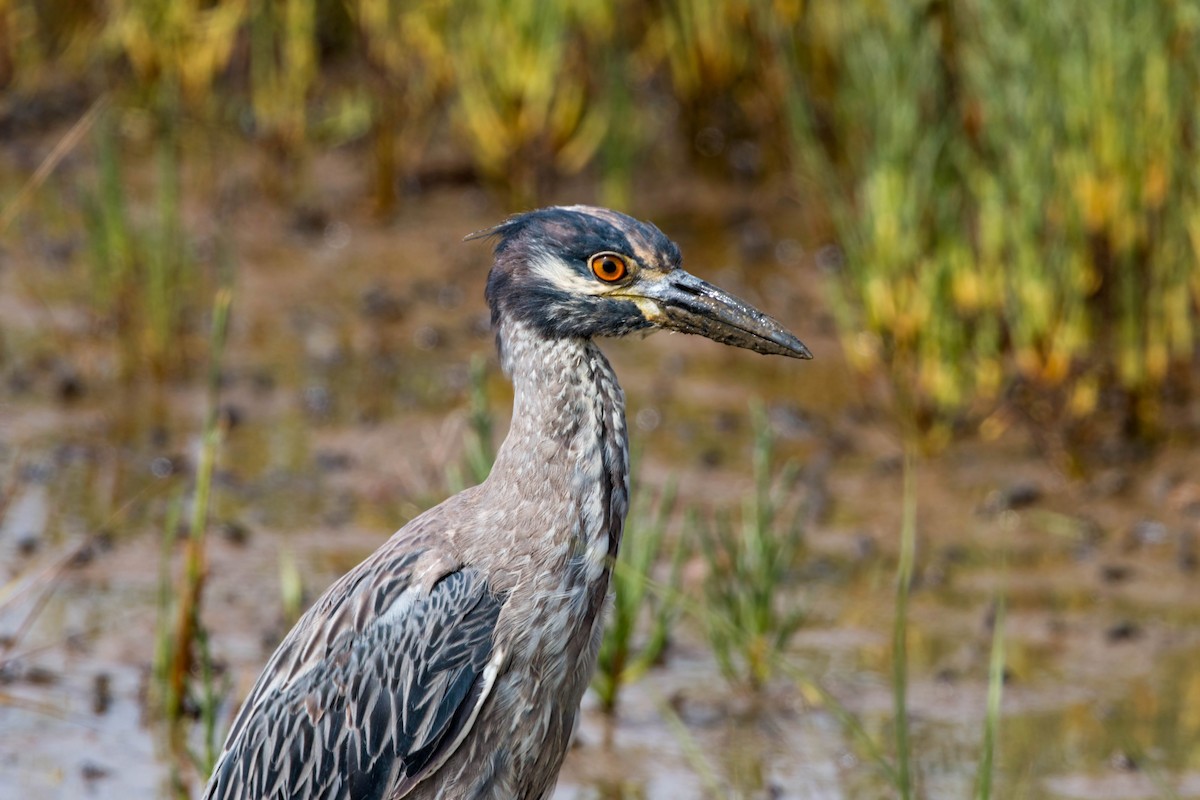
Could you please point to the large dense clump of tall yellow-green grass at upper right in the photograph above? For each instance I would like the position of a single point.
(1016, 194)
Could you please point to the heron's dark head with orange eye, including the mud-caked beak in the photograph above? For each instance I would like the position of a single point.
(583, 272)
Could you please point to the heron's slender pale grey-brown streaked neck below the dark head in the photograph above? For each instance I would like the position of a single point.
(567, 452)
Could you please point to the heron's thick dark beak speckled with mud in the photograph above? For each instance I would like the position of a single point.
(685, 303)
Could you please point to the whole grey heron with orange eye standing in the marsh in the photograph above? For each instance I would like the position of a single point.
(452, 663)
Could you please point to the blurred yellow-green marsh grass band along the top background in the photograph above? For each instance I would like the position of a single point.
(1011, 187)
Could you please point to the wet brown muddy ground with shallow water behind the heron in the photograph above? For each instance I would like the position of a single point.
(346, 384)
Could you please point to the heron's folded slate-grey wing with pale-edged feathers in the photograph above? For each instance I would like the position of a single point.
(380, 709)
